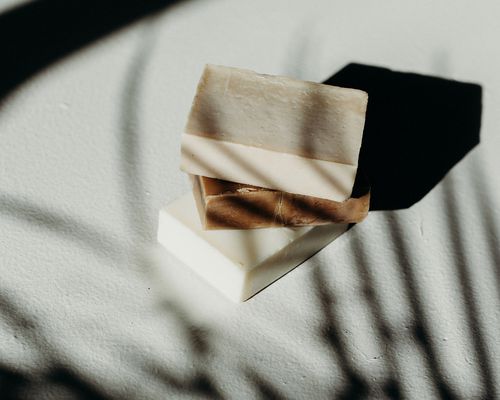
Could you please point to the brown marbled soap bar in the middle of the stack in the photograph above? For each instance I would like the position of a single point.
(224, 205)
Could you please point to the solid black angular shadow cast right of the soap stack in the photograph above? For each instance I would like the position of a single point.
(417, 128)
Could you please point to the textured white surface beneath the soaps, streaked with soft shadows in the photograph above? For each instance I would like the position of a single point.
(90, 152)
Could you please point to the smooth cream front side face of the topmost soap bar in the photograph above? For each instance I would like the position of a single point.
(265, 168)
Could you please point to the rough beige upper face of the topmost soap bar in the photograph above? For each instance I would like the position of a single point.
(279, 113)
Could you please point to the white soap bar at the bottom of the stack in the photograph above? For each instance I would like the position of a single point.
(239, 263)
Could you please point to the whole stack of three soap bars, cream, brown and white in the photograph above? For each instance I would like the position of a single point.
(266, 152)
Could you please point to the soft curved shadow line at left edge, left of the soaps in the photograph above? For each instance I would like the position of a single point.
(64, 225)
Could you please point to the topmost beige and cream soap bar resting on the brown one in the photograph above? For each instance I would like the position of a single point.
(274, 132)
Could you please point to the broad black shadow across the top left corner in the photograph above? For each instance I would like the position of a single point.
(38, 33)
